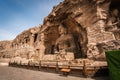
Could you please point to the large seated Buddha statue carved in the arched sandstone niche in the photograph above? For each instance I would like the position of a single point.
(65, 44)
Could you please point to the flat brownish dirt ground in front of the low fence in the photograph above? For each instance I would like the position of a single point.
(12, 73)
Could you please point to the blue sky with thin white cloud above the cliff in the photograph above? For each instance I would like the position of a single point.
(19, 15)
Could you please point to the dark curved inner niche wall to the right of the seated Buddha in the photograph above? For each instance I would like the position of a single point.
(80, 36)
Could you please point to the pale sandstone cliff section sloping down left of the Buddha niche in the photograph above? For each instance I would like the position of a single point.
(23, 44)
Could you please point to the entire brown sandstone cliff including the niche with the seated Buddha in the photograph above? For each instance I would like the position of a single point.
(92, 26)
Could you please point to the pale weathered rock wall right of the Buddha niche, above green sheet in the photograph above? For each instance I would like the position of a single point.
(105, 32)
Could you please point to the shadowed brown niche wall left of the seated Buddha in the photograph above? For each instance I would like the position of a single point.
(51, 34)
